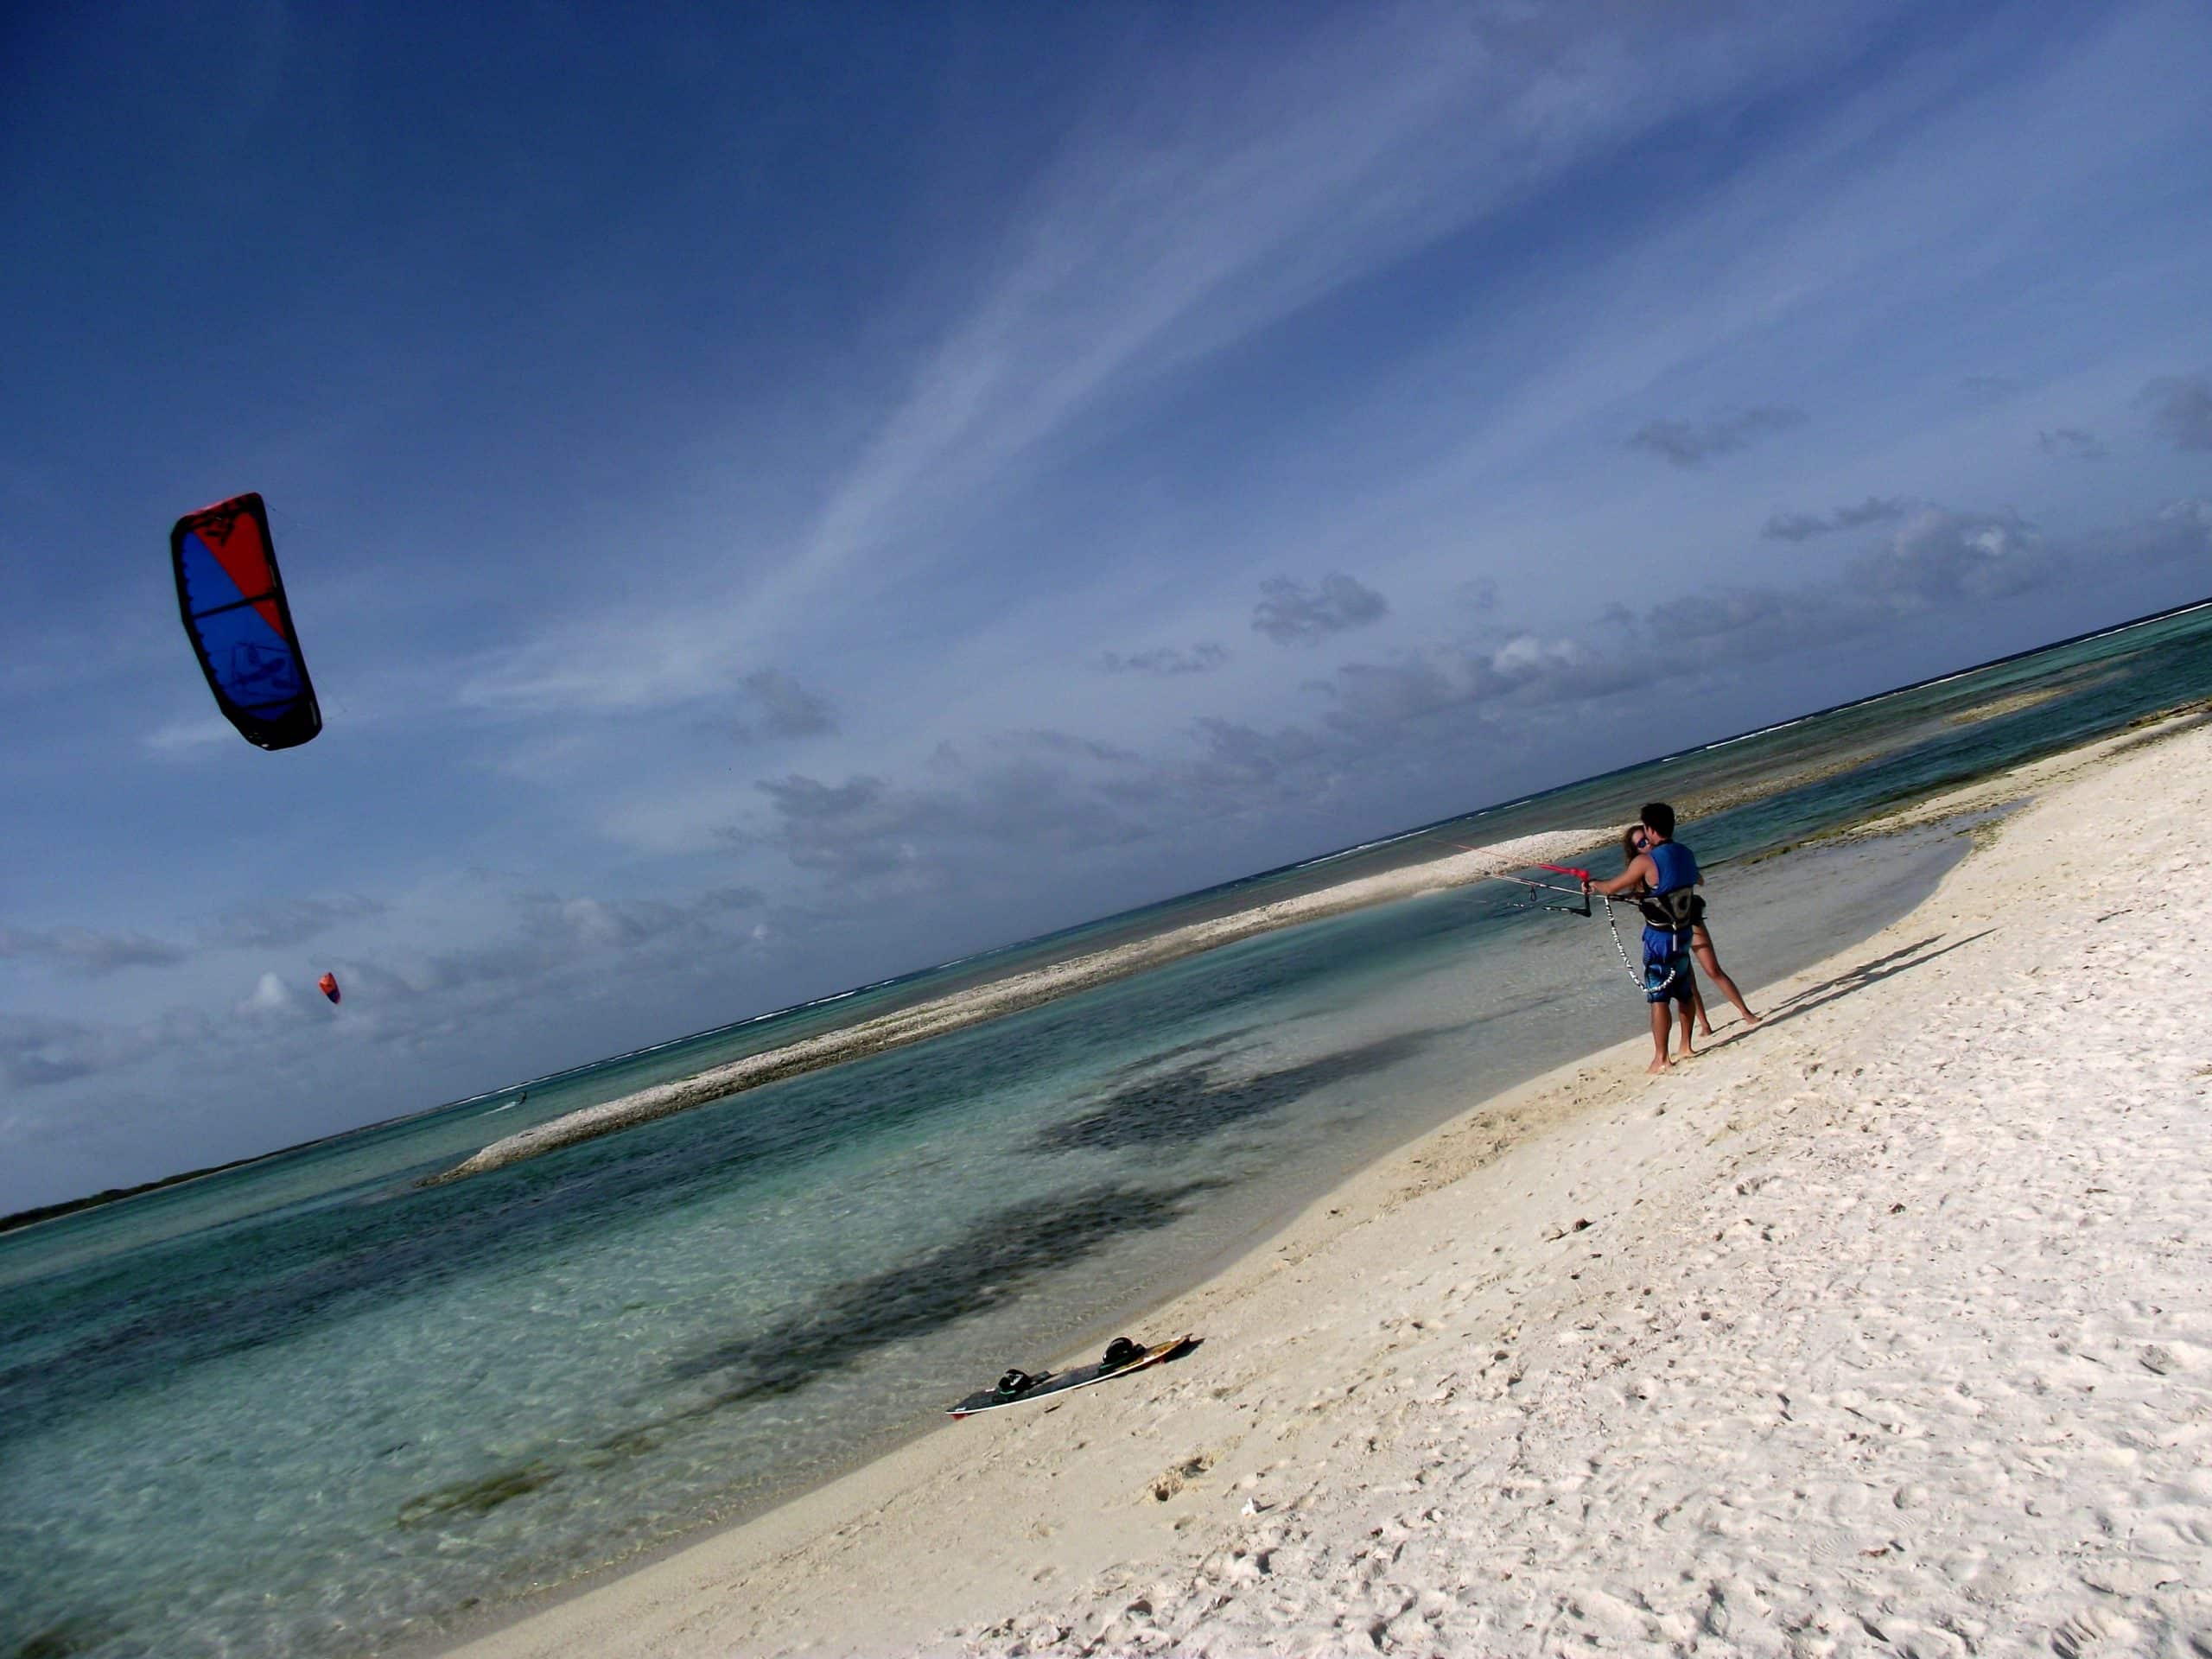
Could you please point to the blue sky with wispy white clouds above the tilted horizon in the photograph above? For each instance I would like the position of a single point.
(782, 497)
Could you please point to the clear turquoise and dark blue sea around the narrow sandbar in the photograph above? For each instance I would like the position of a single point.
(313, 1406)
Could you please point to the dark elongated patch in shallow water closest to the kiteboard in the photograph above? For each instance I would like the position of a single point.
(988, 1266)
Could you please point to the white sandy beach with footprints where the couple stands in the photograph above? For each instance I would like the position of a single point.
(1879, 1328)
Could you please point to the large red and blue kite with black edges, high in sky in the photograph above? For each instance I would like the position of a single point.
(240, 623)
